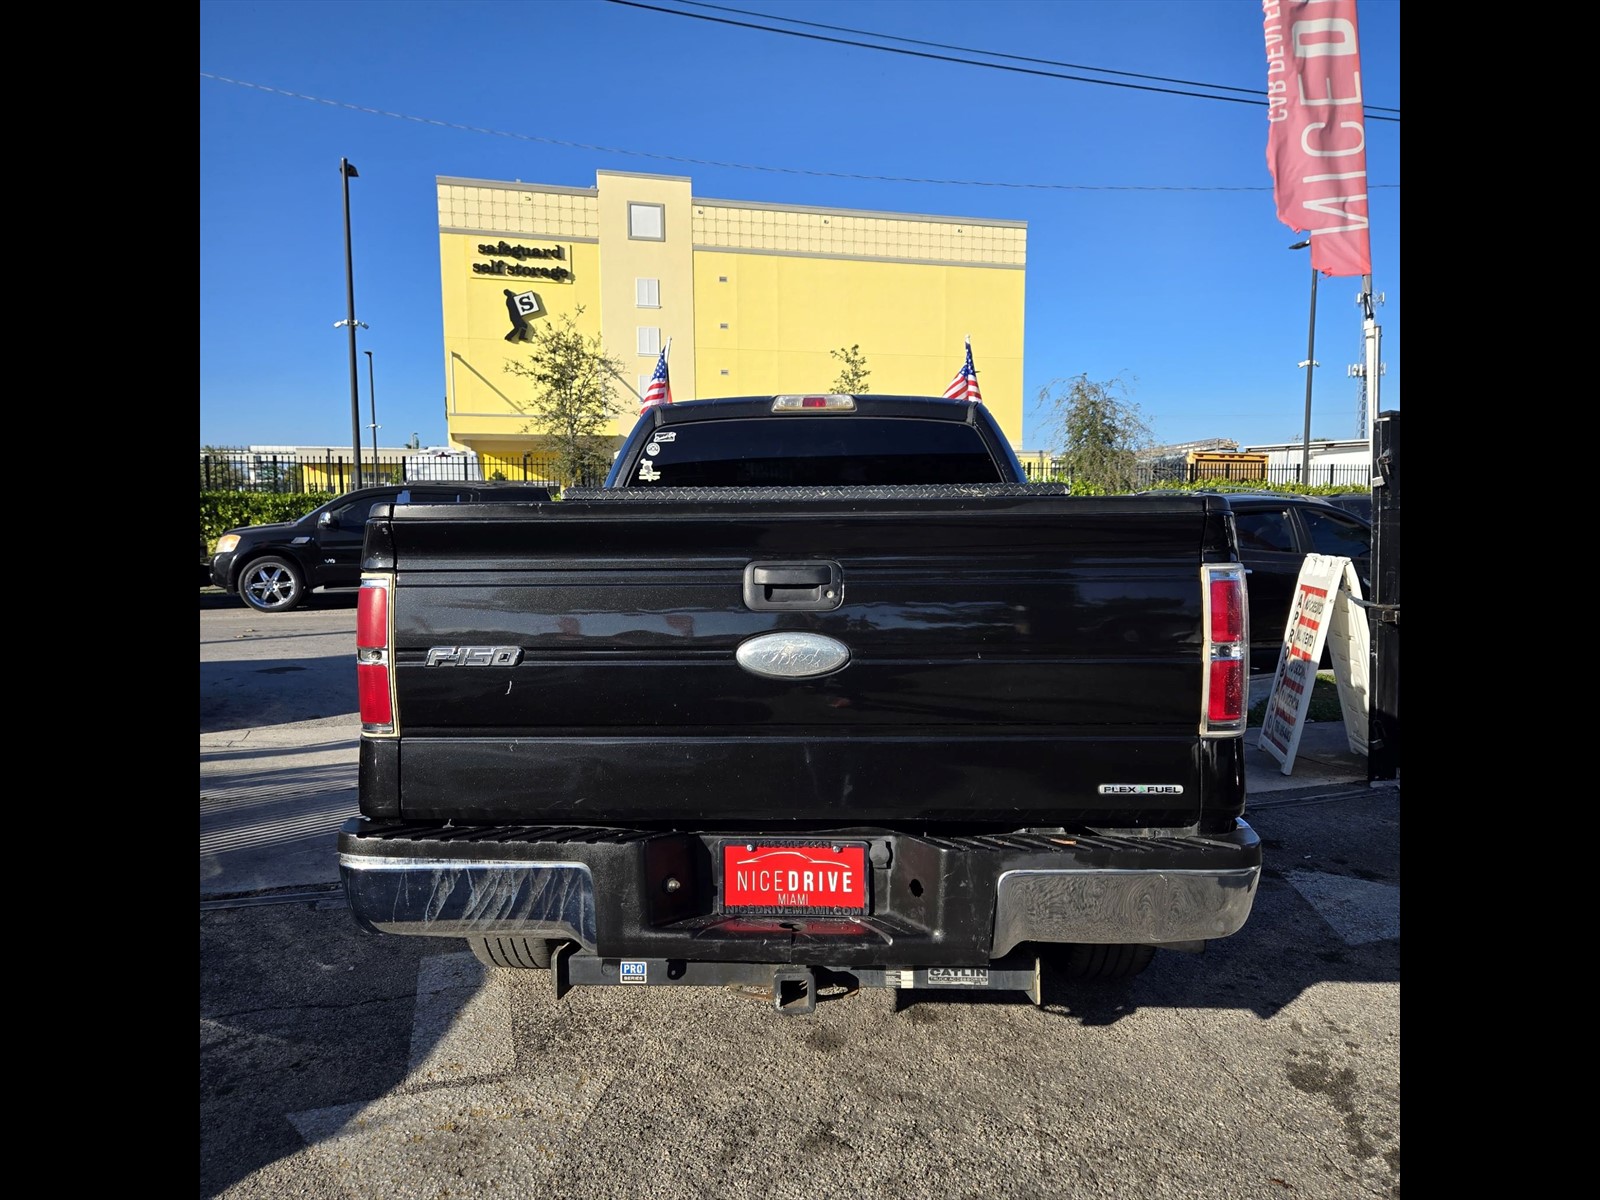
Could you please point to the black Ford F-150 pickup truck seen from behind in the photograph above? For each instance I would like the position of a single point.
(817, 692)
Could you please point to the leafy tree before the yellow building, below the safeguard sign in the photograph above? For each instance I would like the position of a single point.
(575, 396)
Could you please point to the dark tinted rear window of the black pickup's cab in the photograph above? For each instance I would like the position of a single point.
(814, 452)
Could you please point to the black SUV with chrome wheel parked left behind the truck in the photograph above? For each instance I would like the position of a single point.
(274, 567)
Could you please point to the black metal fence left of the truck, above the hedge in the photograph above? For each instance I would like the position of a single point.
(302, 473)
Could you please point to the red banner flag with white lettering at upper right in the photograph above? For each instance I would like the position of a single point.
(1318, 130)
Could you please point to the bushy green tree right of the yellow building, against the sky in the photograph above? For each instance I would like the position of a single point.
(1100, 433)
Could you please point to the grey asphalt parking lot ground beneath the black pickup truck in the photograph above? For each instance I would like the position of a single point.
(337, 1063)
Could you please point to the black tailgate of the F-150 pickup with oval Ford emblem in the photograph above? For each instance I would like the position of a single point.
(1001, 657)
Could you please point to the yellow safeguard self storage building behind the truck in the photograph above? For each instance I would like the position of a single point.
(753, 297)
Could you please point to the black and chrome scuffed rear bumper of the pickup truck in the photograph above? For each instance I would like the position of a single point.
(935, 900)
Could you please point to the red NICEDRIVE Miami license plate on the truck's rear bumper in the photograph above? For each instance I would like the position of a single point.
(785, 878)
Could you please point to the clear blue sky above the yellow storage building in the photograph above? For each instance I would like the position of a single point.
(1154, 252)
